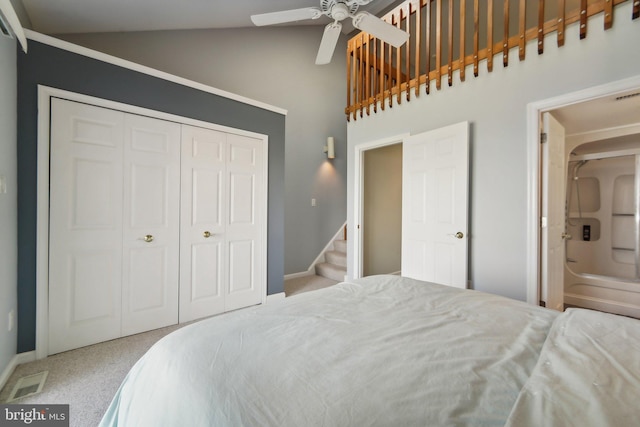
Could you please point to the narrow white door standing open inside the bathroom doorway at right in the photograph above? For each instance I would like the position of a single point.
(553, 214)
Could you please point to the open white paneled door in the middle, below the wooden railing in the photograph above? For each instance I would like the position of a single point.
(435, 205)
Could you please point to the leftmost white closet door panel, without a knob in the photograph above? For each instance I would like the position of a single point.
(85, 260)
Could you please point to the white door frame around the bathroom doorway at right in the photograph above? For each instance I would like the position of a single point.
(534, 123)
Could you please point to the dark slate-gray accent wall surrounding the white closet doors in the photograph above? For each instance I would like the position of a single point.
(58, 68)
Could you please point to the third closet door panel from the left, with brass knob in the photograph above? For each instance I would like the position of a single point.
(202, 255)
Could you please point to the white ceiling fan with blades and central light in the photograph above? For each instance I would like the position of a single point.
(337, 10)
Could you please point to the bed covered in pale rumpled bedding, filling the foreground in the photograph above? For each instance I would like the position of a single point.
(389, 351)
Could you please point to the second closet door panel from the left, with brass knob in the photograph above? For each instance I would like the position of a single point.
(151, 227)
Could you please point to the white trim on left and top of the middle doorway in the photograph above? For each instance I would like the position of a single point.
(358, 163)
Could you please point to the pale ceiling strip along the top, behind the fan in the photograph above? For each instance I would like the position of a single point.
(91, 16)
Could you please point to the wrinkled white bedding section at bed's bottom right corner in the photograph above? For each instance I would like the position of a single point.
(588, 374)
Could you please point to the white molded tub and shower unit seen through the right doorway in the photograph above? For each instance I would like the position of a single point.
(601, 270)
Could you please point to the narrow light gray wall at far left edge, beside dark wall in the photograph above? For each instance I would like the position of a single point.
(8, 200)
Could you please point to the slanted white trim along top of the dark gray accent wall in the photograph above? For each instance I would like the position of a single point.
(90, 53)
